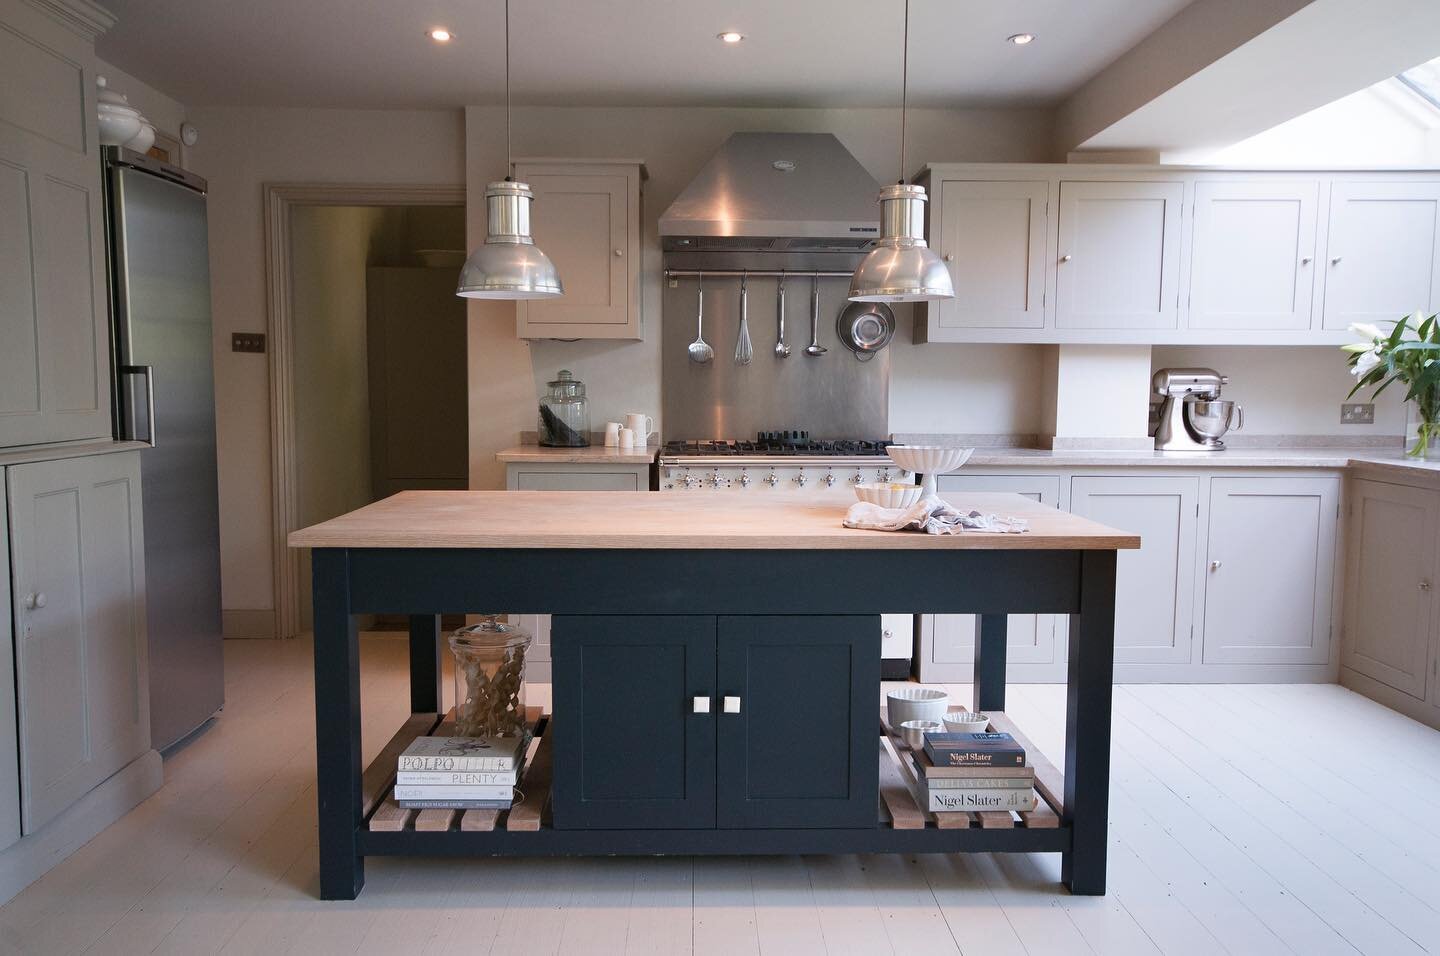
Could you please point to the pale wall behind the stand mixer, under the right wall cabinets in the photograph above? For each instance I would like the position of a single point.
(1288, 391)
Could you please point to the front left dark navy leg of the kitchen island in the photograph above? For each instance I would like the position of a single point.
(338, 728)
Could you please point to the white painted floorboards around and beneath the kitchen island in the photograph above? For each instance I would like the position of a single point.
(1271, 836)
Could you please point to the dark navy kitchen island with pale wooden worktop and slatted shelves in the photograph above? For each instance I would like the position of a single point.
(716, 673)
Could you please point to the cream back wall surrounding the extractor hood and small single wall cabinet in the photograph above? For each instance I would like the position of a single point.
(675, 145)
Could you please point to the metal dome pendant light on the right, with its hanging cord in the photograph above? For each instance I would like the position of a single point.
(902, 267)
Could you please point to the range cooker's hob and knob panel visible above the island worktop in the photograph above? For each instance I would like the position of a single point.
(777, 463)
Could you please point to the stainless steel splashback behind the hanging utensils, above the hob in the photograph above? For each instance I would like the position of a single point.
(833, 395)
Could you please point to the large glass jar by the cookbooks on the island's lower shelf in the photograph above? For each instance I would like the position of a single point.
(490, 680)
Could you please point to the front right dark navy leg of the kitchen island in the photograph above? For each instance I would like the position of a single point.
(1088, 726)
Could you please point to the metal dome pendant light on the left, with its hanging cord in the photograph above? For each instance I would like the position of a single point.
(510, 266)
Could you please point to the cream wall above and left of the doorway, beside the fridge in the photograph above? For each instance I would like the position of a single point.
(241, 150)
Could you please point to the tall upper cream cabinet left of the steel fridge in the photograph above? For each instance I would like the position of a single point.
(54, 317)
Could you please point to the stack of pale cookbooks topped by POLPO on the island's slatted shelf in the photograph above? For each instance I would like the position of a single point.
(463, 774)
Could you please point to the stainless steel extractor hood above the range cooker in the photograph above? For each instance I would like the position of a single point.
(796, 201)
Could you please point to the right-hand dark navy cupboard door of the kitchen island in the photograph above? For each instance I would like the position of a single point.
(798, 722)
